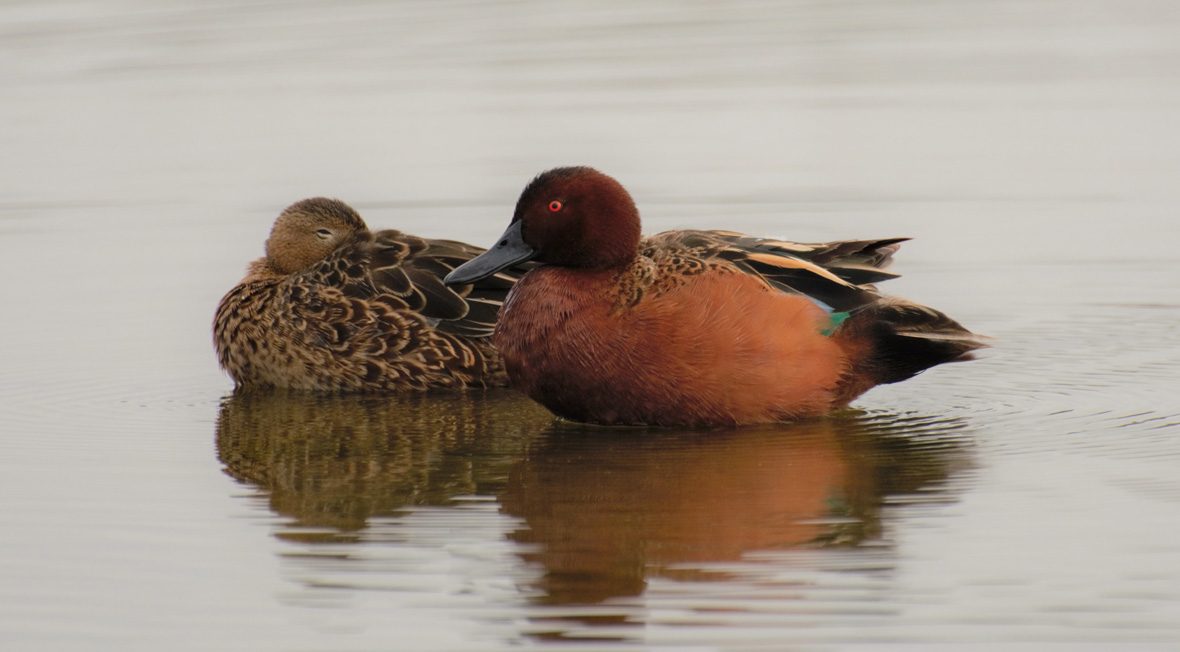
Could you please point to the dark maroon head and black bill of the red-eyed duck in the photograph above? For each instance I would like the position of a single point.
(573, 218)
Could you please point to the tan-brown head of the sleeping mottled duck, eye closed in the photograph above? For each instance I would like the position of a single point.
(309, 230)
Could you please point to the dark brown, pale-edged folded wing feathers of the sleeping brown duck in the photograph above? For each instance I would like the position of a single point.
(407, 273)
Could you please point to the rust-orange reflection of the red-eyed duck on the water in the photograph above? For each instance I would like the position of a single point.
(607, 510)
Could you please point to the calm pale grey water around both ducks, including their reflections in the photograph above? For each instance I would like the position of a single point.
(1028, 500)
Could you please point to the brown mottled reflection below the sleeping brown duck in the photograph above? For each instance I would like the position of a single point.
(336, 462)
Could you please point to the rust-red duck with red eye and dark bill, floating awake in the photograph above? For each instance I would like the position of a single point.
(694, 328)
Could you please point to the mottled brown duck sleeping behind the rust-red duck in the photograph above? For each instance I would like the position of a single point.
(336, 307)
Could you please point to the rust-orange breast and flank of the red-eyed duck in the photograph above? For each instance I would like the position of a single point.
(711, 348)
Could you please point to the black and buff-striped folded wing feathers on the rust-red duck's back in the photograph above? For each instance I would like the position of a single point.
(835, 275)
